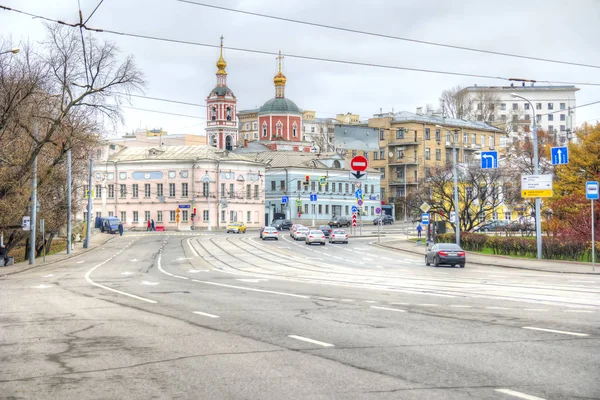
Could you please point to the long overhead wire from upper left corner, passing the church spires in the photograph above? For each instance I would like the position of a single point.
(312, 58)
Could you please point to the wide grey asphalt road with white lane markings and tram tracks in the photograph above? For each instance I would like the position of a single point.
(219, 316)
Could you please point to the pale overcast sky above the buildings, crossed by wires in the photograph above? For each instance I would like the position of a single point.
(547, 29)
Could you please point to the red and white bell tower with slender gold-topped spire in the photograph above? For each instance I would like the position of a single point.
(221, 111)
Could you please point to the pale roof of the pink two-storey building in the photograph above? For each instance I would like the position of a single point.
(177, 153)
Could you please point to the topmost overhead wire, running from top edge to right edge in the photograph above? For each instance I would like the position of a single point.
(381, 35)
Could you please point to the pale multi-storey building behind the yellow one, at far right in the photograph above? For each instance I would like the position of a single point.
(553, 106)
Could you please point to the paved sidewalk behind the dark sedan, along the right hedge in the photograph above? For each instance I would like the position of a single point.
(556, 266)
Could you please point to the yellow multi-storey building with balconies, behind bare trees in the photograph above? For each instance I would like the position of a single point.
(410, 144)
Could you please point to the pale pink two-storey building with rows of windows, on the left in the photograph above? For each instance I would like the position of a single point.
(138, 184)
